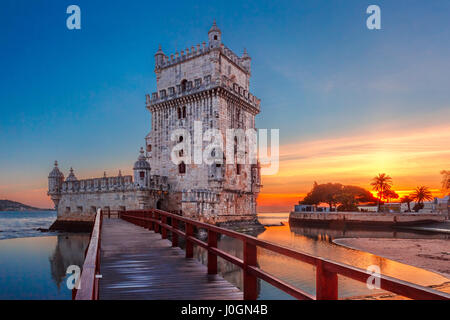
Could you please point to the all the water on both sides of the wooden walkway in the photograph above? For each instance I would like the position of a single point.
(33, 264)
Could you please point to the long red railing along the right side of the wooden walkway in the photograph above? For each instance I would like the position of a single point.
(326, 270)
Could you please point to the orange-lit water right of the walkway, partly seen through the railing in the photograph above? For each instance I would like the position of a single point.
(318, 242)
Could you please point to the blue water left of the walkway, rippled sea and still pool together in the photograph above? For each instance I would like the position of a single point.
(33, 264)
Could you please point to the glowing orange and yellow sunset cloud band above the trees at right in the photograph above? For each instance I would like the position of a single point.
(411, 157)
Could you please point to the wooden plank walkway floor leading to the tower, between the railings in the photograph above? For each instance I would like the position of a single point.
(138, 264)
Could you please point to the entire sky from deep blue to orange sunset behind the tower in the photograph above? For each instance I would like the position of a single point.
(349, 102)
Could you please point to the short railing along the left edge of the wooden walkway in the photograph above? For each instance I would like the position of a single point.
(88, 282)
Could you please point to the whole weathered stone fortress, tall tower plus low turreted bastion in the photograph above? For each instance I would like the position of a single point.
(207, 84)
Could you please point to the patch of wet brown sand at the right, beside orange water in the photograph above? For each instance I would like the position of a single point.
(428, 254)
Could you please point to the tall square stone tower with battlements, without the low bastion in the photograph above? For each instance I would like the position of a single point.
(207, 85)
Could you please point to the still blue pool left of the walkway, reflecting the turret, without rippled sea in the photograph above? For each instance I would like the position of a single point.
(34, 268)
